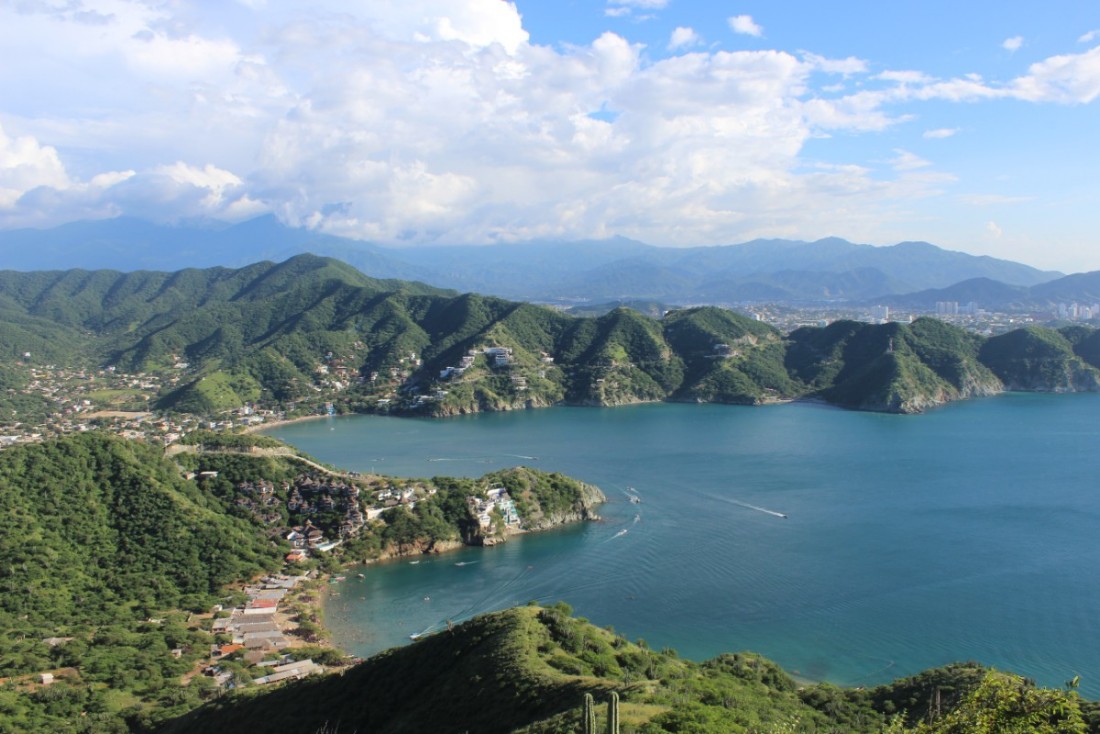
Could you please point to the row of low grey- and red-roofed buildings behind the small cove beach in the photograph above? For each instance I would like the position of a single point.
(258, 638)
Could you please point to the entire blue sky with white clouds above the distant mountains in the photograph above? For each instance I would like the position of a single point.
(970, 125)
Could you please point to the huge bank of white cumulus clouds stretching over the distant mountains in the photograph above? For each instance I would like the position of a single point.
(442, 122)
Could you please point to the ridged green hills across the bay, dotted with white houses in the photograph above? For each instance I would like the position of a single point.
(312, 331)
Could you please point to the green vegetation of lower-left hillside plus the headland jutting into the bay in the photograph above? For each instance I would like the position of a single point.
(113, 552)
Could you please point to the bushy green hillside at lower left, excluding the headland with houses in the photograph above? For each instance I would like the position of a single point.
(106, 543)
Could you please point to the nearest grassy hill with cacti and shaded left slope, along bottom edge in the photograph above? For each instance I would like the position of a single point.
(527, 670)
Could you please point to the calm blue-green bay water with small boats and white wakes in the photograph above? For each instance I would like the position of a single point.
(969, 533)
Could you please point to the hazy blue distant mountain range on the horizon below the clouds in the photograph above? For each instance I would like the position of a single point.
(909, 275)
